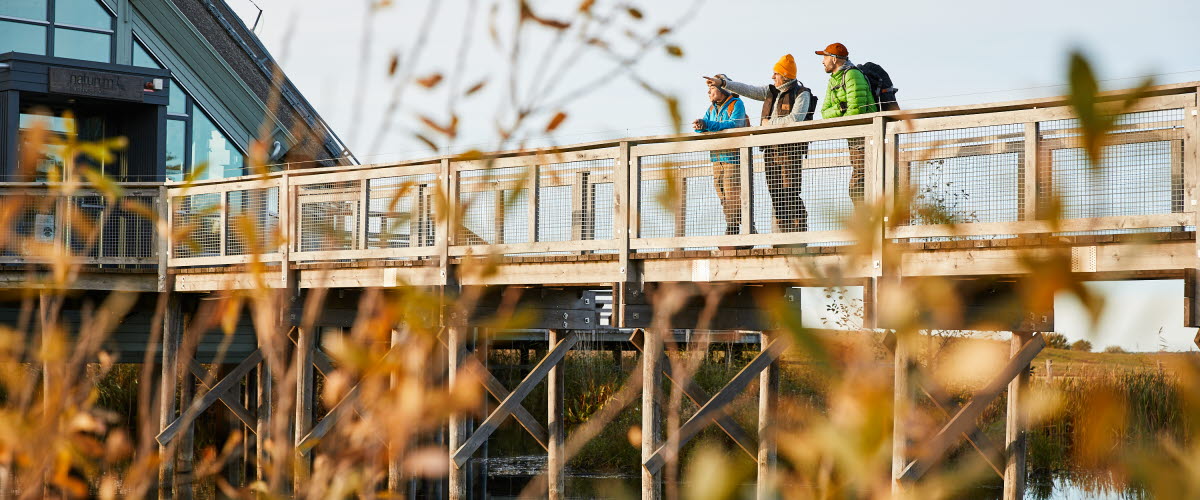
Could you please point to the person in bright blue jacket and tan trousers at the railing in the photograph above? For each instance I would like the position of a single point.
(725, 112)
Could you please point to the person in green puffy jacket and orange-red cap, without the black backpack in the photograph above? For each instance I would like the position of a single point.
(848, 94)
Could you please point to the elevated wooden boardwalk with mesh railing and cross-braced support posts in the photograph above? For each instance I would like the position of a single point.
(974, 192)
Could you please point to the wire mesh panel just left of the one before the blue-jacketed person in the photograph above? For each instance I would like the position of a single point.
(569, 206)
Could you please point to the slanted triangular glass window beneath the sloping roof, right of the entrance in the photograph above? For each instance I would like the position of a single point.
(194, 141)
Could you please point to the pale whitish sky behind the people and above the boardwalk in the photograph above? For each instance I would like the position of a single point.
(939, 53)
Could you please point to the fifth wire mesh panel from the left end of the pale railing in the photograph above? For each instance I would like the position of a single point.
(495, 206)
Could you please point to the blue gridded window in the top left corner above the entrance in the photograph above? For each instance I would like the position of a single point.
(75, 29)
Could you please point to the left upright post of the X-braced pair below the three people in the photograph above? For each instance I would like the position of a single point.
(652, 430)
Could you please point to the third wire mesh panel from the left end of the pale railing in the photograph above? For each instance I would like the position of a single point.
(329, 216)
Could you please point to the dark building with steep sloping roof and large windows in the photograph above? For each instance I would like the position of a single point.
(187, 82)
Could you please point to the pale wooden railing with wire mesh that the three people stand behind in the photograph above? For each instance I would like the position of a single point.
(980, 172)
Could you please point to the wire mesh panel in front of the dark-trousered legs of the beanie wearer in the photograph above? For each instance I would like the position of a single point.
(808, 186)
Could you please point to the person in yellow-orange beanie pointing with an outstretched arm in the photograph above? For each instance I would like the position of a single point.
(785, 101)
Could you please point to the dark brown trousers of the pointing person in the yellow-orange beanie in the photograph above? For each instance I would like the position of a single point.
(784, 182)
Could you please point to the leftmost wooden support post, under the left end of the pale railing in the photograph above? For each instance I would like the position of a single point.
(172, 332)
